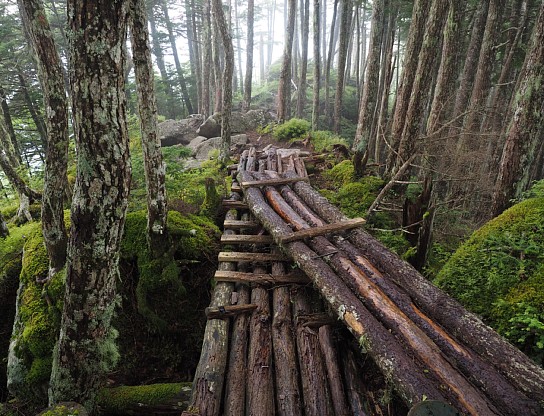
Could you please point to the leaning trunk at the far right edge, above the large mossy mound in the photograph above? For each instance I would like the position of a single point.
(524, 133)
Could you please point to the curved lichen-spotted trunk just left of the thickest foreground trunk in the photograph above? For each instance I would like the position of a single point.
(56, 106)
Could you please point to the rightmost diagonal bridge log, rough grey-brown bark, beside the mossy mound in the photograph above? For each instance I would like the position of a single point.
(450, 314)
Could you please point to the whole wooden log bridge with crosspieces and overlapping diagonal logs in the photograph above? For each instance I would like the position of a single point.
(296, 277)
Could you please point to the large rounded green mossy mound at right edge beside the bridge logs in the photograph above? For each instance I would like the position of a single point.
(498, 274)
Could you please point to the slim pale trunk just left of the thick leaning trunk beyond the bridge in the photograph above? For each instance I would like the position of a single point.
(345, 35)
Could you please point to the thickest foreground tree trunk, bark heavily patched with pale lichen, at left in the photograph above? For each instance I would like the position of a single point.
(86, 349)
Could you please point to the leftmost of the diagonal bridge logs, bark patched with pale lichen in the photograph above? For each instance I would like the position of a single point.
(407, 377)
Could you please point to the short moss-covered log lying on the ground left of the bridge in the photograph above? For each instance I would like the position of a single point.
(120, 400)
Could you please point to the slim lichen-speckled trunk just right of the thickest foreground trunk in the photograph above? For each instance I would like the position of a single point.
(155, 170)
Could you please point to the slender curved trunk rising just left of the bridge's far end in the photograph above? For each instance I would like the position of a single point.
(226, 110)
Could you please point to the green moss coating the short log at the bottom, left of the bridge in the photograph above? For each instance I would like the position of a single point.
(115, 401)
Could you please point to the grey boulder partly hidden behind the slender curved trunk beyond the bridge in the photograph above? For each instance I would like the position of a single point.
(239, 122)
